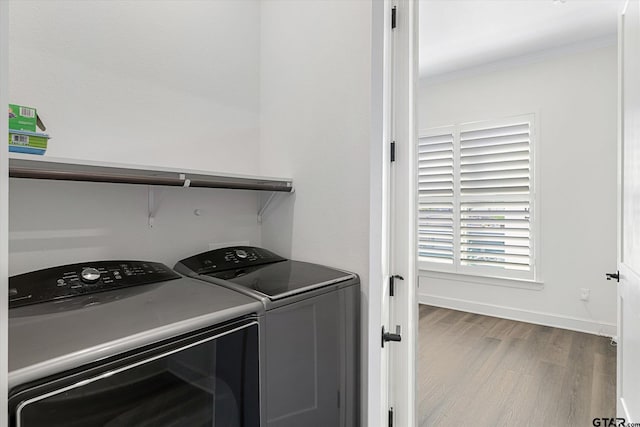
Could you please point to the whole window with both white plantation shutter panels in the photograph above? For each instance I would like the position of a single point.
(475, 198)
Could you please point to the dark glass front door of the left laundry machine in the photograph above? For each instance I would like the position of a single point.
(204, 380)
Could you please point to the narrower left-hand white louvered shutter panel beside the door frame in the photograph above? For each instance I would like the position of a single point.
(435, 198)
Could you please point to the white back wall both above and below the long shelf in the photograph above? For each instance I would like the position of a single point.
(147, 82)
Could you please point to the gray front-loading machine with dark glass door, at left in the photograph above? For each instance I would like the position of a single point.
(123, 343)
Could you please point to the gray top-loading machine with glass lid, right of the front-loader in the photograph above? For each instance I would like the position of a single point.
(310, 337)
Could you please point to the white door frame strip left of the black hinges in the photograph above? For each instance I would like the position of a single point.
(380, 221)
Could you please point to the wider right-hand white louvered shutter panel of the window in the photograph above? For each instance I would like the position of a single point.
(495, 193)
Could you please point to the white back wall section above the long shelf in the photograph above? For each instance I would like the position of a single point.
(171, 83)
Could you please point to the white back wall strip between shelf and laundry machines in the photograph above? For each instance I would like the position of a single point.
(54, 222)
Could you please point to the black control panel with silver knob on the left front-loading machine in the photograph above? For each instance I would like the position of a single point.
(71, 280)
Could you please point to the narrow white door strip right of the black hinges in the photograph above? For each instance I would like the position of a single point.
(402, 300)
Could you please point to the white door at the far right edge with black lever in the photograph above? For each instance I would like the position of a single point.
(629, 257)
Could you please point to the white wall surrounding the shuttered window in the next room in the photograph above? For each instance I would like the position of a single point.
(574, 99)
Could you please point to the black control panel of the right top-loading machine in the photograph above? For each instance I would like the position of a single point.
(230, 258)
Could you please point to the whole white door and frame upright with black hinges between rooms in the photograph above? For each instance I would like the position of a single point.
(391, 400)
